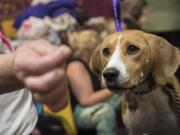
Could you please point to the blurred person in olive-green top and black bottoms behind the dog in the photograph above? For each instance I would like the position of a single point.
(161, 17)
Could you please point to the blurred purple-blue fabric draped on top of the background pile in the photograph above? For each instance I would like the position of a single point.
(52, 9)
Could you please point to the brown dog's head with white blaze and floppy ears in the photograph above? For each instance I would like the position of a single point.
(124, 60)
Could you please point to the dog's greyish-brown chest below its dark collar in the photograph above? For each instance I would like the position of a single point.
(153, 115)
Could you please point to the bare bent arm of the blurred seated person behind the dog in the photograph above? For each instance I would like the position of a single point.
(82, 87)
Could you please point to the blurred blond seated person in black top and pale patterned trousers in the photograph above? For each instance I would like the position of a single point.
(92, 103)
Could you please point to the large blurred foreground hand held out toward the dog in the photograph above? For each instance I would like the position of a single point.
(41, 68)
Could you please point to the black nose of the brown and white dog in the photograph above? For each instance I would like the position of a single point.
(111, 74)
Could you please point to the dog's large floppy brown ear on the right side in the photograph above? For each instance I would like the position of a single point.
(165, 59)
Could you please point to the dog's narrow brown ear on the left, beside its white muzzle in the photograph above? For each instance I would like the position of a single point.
(96, 64)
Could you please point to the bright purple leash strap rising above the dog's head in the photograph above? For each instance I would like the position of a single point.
(117, 14)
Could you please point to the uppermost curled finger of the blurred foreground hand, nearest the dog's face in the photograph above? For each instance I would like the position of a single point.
(41, 64)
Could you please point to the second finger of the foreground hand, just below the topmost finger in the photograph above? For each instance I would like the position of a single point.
(45, 82)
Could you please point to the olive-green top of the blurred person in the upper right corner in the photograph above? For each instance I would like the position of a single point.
(161, 15)
